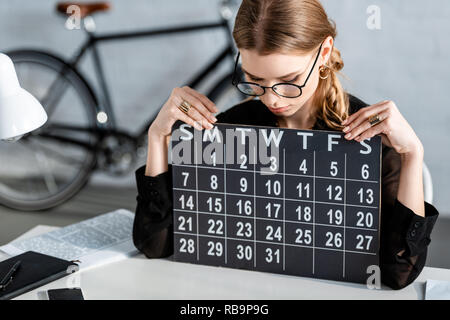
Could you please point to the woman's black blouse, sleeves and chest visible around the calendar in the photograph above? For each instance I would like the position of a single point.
(401, 229)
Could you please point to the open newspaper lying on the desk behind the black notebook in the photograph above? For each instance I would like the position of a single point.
(96, 241)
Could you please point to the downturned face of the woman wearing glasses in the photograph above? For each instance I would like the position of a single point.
(270, 69)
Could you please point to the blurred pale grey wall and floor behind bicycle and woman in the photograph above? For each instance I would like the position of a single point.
(391, 50)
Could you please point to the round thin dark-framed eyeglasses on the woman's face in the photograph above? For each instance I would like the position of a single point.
(283, 89)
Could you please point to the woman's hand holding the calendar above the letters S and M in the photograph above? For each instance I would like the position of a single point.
(200, 115)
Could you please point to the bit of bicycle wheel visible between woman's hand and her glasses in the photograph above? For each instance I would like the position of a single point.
(225, 95)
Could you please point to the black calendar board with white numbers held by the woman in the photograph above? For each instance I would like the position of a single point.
(297, 202)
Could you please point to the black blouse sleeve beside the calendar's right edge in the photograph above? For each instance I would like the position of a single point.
(401, 230)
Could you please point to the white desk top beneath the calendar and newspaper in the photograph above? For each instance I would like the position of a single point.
(142, 278)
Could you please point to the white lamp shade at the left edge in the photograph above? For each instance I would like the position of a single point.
(20, 112)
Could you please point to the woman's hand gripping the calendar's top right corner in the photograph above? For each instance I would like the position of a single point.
(393, 128)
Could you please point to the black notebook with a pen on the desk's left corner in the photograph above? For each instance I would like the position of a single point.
(36, 270)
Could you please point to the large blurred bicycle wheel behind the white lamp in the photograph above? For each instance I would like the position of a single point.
(48, 166)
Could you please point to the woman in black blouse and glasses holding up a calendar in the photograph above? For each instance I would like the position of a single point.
(292, 42)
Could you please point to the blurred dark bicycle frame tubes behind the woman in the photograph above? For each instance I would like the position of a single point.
(93, 39)
